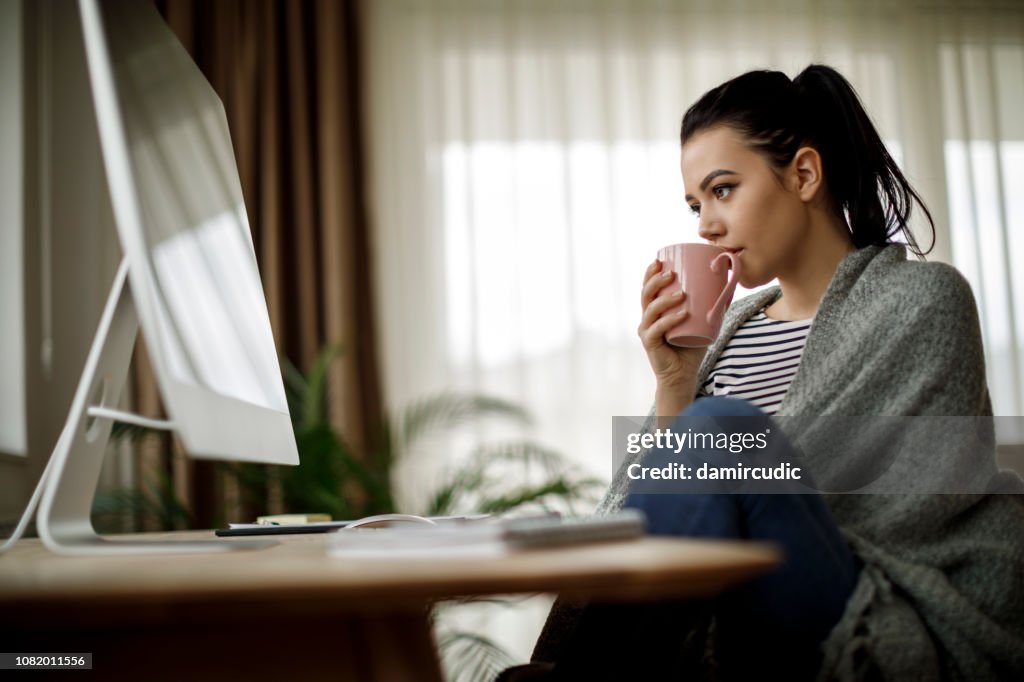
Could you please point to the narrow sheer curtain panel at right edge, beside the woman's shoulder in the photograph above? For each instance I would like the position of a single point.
(984, 129)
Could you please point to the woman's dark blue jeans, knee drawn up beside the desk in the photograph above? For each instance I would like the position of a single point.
(772, 626)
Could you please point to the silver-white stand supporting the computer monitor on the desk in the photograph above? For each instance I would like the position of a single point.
(69, 484)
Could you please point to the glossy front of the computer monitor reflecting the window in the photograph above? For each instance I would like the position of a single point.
(182, 220)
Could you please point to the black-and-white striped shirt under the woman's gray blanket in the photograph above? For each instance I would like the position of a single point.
(759, 362)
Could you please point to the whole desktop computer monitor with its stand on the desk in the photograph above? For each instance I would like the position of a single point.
(189, 279)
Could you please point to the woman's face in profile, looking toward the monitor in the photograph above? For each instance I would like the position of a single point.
(744, 204)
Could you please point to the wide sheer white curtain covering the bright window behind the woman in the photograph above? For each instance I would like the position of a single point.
(525, 170)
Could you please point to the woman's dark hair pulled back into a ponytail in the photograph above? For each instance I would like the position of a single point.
(820, 109)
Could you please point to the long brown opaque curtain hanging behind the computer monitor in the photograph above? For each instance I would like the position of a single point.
(288, 73)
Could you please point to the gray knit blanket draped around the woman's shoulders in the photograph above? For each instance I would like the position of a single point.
(942, 592)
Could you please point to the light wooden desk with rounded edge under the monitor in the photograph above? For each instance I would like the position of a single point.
(292, 613)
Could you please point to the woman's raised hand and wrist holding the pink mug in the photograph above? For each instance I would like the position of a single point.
(675, 369)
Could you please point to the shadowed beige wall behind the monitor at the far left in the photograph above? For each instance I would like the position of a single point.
(69, 245)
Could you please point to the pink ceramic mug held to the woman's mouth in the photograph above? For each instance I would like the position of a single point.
(701, 273)
